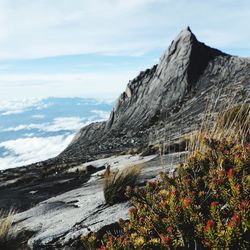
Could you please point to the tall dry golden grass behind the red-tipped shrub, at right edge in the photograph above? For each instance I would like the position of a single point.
(222, 120)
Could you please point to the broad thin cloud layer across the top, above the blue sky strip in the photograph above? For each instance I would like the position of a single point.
(43, 28)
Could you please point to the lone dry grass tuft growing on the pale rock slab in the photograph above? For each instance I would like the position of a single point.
(115, 184)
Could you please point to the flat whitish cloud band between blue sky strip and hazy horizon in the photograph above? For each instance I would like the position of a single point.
(96, 85)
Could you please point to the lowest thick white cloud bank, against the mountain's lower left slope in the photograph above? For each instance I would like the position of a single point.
(30, 150)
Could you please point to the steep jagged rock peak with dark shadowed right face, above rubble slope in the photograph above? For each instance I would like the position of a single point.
(166, 83)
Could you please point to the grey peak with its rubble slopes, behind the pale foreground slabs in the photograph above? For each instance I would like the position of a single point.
(166, 101)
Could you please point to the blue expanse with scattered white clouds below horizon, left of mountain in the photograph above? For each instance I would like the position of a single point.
(33, 130)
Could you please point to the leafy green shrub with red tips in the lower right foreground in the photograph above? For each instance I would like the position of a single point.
(205, 206)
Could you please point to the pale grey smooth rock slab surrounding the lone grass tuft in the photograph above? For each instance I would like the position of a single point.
(59, 221)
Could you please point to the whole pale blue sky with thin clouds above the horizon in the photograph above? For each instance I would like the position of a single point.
(92, 48)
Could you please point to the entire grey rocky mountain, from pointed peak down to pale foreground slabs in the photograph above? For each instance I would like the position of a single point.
(61, 199)
